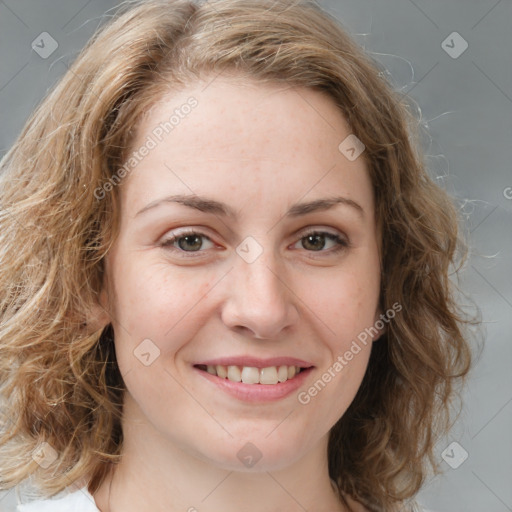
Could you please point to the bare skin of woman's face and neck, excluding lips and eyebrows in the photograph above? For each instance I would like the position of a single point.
(259, 149)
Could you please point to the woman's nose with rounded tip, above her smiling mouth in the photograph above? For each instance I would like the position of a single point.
(260, 303)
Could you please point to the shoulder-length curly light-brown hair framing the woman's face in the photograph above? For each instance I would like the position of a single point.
(59, 381)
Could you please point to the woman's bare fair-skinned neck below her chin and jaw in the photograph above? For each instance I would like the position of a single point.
(156, 474)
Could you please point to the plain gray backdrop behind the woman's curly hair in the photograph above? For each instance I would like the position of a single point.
(466, 104)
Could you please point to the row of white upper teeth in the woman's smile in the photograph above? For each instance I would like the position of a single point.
(251, 375)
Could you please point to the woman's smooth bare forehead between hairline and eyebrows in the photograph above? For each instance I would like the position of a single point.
(243, 136)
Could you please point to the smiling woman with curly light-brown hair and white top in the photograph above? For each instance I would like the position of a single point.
(226, 278)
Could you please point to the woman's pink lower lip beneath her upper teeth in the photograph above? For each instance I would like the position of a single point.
(258, 392)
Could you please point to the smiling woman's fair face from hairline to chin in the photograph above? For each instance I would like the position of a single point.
(247, 246)
